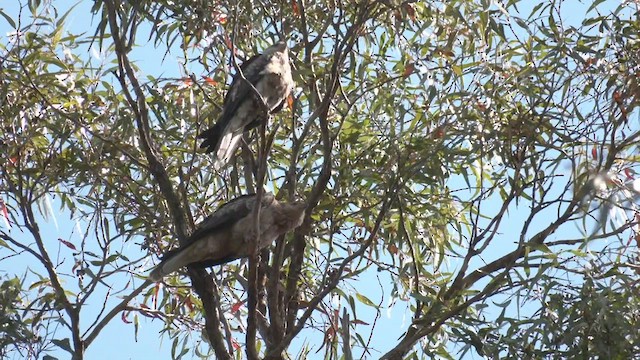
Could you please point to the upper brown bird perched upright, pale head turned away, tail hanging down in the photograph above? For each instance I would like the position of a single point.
(270, 75)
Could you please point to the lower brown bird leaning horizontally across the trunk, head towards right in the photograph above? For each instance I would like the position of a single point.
(229, 233)
